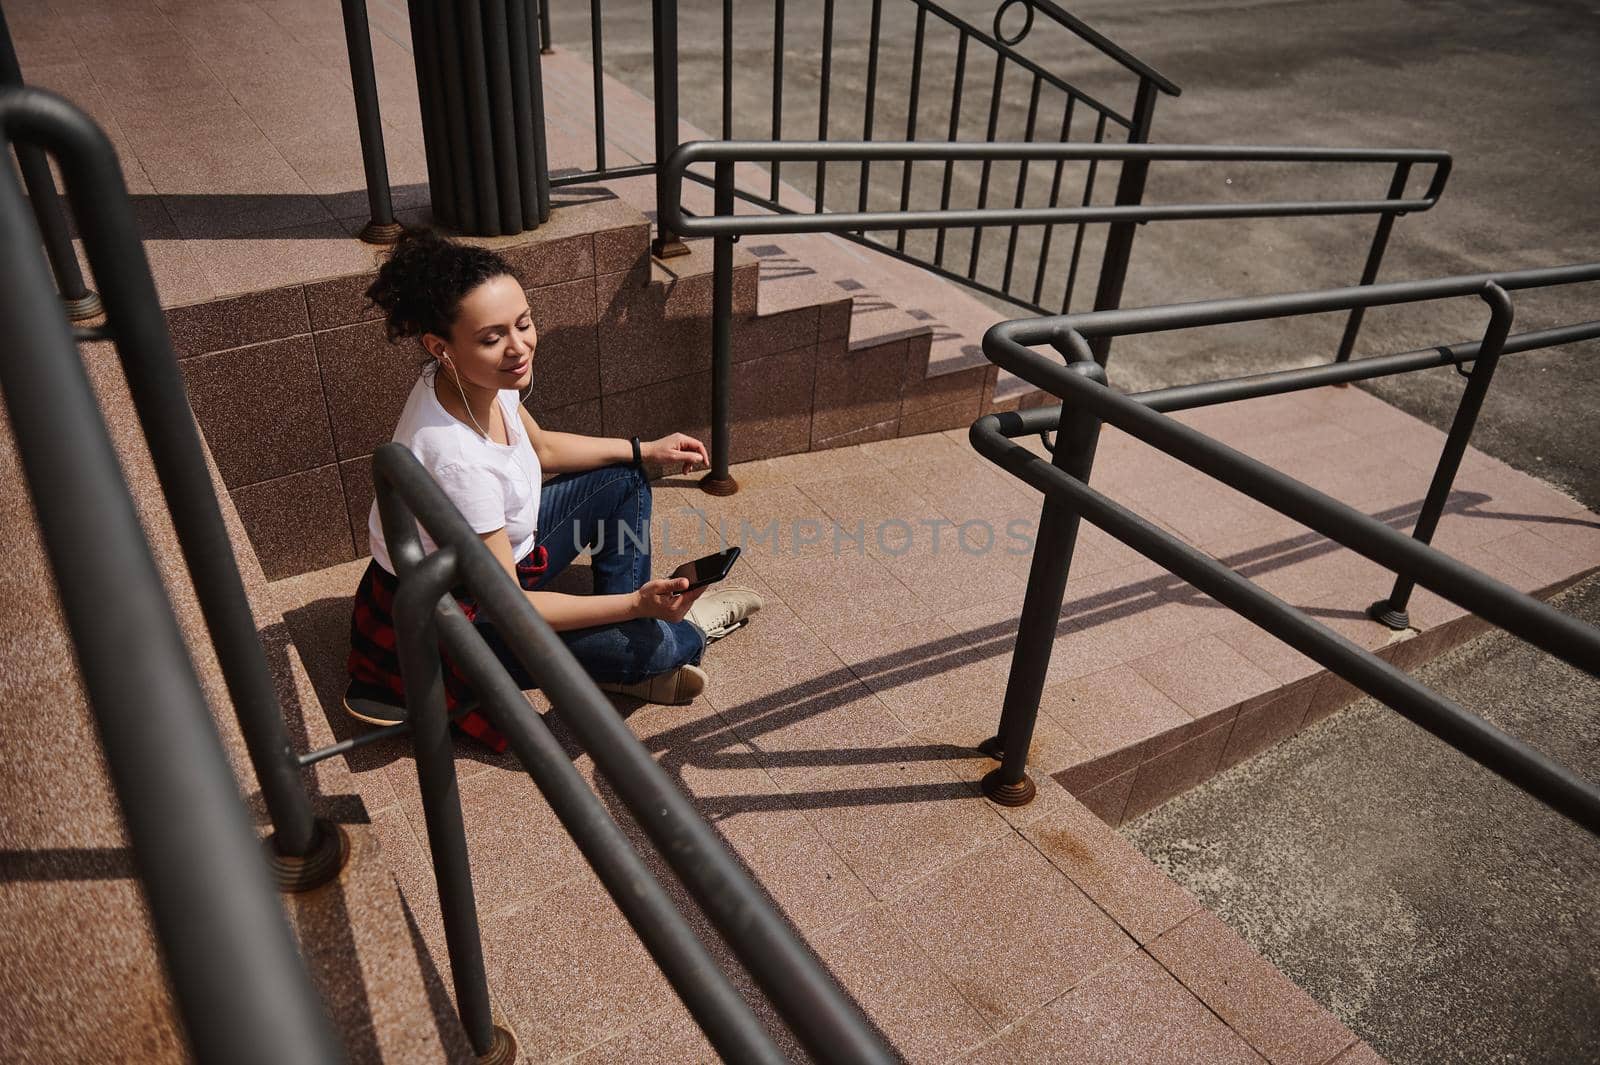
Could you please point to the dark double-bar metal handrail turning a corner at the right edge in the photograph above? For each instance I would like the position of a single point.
(1089, 402)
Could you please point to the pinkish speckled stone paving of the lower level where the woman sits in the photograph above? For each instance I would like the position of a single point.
(834, 746)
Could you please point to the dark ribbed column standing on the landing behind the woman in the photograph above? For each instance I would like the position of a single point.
(478, 70)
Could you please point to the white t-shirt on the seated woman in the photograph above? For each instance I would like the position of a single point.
(494, 485)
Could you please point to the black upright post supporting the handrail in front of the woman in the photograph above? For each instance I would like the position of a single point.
(436, 773)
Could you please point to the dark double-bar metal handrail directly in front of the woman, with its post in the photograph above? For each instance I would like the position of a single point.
(823, 1016)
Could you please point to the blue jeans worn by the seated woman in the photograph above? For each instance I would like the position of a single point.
(609, 513)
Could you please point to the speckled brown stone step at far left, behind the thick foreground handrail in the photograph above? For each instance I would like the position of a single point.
(70, 879)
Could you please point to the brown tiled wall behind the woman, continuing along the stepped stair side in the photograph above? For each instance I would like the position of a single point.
(295, 388)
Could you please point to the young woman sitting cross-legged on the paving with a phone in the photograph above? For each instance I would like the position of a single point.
(466, 425)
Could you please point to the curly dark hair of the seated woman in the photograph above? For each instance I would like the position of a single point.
(422, 284)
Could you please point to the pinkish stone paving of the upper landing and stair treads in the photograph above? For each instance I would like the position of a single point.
(274, 191)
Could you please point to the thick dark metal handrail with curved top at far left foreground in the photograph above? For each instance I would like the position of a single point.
(239, 983)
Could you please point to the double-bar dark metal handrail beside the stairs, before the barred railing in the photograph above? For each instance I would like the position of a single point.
(726, 226)
